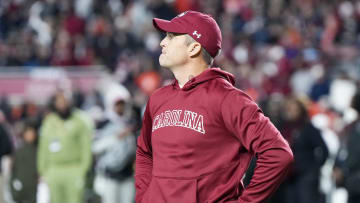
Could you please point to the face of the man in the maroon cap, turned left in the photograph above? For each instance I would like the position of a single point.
(174, 50)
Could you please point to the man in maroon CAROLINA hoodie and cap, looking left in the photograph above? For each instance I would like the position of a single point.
(200, 132)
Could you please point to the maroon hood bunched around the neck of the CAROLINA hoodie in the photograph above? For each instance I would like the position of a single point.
(209, 74)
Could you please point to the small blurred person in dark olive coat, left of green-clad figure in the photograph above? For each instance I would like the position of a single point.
(24, 175)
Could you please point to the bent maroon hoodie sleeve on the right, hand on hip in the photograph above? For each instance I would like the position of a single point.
(259, 136)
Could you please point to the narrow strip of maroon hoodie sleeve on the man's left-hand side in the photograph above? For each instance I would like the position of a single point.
(144, 161)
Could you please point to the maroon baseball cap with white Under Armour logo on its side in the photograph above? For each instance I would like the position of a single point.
(201, 27)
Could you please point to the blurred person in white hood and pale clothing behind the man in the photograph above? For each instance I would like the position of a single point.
(114, 148)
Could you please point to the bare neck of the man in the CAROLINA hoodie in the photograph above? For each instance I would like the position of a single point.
(185, 73)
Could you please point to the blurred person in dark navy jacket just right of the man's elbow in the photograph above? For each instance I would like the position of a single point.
(310, 152)
